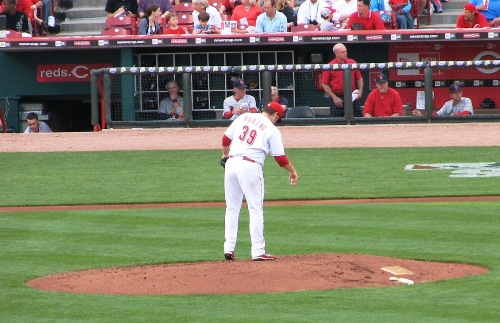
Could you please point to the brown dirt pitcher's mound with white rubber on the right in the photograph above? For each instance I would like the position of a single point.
(286, 274)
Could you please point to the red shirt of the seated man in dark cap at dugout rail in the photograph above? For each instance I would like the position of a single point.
(383, 105)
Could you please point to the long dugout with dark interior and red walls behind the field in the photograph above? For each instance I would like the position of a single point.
(54, 71)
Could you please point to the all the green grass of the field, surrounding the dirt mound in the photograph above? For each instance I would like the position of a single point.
(41, 243)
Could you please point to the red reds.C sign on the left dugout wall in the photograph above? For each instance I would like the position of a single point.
(66, 72)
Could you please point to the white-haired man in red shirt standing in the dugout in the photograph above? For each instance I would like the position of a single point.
(333, 83)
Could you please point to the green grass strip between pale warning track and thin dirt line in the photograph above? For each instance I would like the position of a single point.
(182, 176)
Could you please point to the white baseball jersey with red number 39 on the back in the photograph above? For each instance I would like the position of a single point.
(254, 136)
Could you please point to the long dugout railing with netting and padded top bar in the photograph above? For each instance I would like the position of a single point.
(117, 99)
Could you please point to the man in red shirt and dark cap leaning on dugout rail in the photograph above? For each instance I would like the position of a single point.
(383, 101)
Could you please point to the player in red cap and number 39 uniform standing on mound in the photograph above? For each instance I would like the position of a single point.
(245, 146)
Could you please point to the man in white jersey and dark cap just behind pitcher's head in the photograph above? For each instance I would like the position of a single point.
(239, 102)
